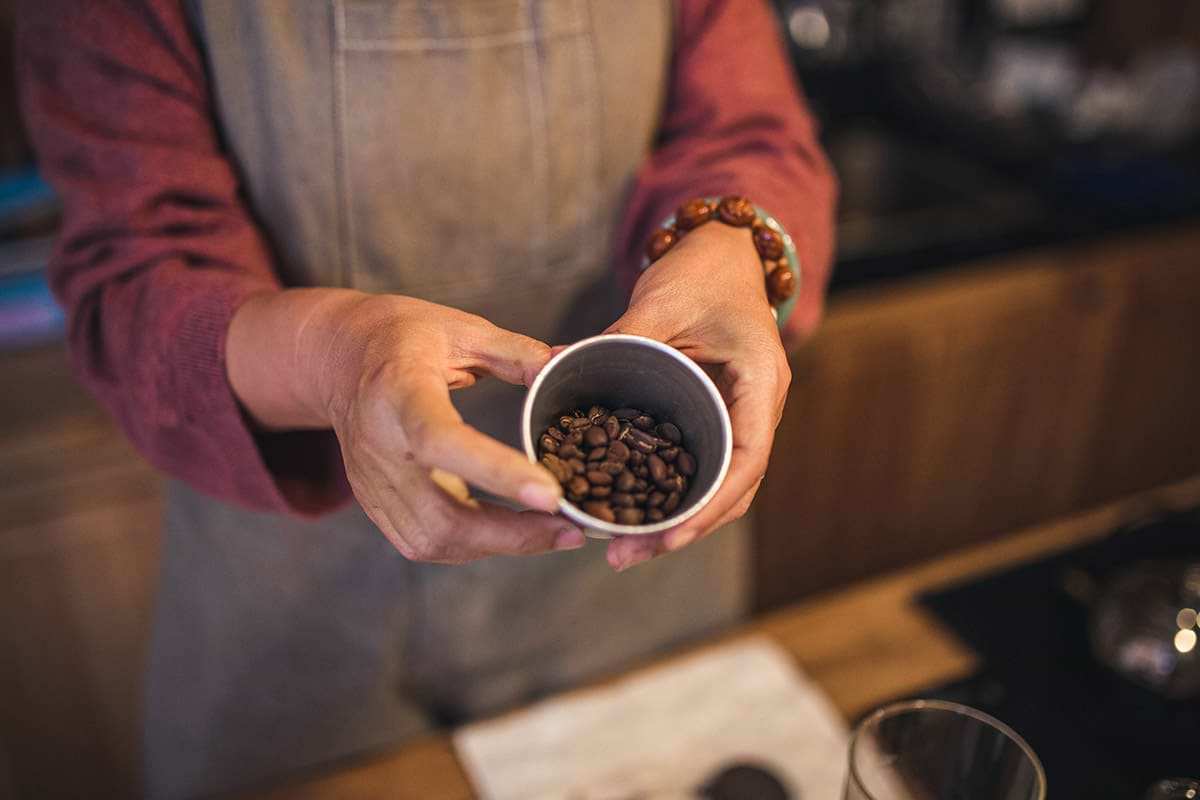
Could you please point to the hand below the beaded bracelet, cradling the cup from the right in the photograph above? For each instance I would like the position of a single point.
(707, 297)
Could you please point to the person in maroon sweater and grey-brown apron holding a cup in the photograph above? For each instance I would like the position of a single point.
(313, 252)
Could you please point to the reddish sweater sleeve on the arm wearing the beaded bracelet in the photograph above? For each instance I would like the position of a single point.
(736, 123)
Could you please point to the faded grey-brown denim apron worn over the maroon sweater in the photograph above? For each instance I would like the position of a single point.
(470, 153)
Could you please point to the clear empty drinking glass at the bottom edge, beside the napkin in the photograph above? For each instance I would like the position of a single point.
(929, 750)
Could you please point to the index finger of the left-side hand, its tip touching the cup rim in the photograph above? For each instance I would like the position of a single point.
(439, 438)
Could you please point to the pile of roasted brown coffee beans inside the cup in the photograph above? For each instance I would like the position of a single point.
(622, 467)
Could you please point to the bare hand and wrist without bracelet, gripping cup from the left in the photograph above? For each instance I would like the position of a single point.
(379, 370)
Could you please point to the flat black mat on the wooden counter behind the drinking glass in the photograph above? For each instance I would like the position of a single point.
(1097, 733)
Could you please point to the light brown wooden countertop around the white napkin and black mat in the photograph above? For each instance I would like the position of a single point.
(865, 646)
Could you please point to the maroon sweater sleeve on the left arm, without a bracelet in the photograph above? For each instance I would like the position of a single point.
(158, 249)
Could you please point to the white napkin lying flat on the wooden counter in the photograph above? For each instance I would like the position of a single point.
(665, 732)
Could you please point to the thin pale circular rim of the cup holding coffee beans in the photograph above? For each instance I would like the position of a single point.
(577, 514)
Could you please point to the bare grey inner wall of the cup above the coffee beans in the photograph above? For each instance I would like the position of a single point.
(629, 374)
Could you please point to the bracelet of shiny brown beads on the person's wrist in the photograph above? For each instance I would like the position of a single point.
(772, 243)
